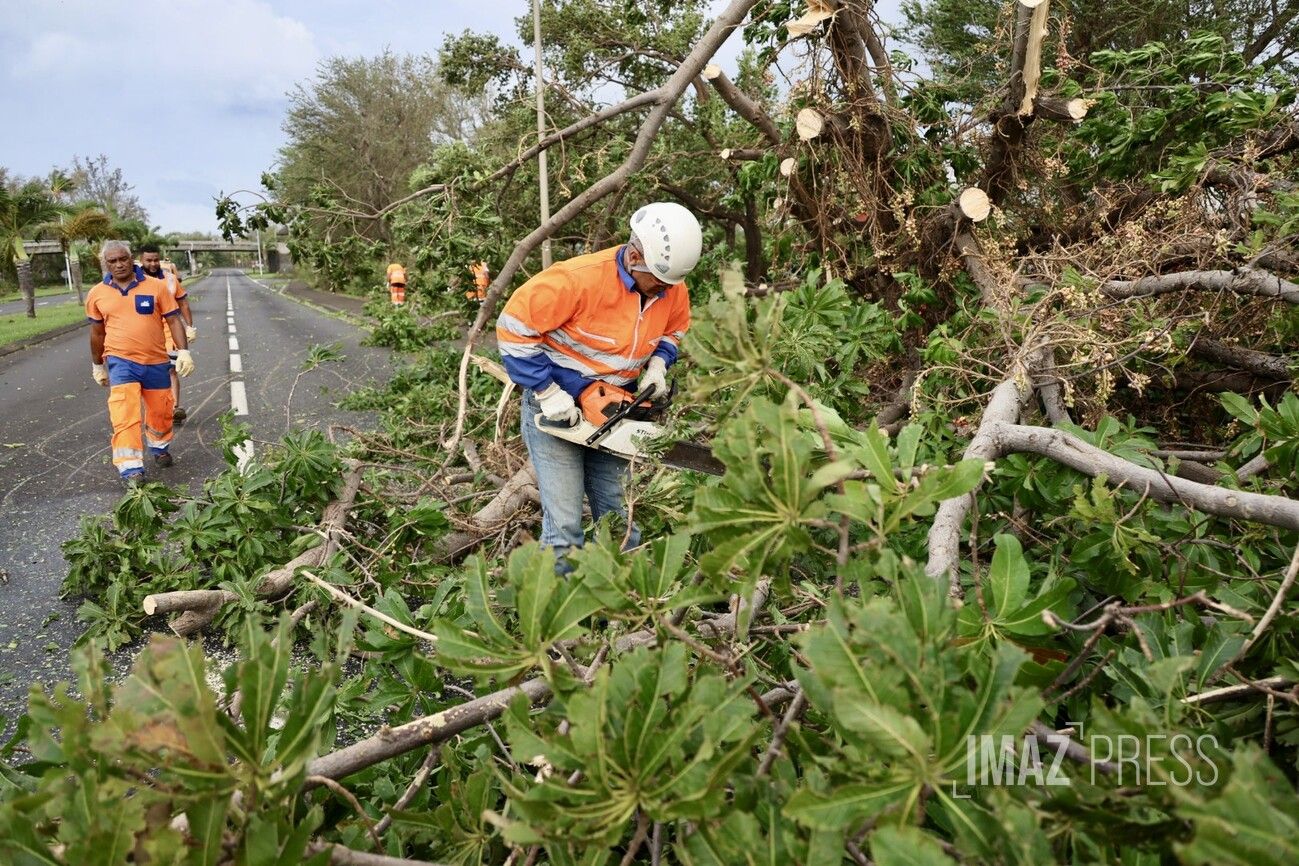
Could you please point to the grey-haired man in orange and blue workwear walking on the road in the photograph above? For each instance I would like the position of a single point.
(129, 358)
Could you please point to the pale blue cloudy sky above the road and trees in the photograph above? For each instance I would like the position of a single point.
(186, 97)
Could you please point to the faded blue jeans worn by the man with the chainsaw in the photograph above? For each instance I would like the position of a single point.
(566, 472)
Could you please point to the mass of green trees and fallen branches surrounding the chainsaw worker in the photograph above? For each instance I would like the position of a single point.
(998, 353)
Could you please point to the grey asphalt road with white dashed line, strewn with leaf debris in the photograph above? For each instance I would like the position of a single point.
(55, 462)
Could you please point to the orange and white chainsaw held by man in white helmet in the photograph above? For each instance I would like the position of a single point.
(619, 423)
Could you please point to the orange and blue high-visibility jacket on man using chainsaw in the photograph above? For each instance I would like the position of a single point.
(583, 320)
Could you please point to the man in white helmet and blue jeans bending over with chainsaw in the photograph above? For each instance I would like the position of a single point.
(612, 316)
